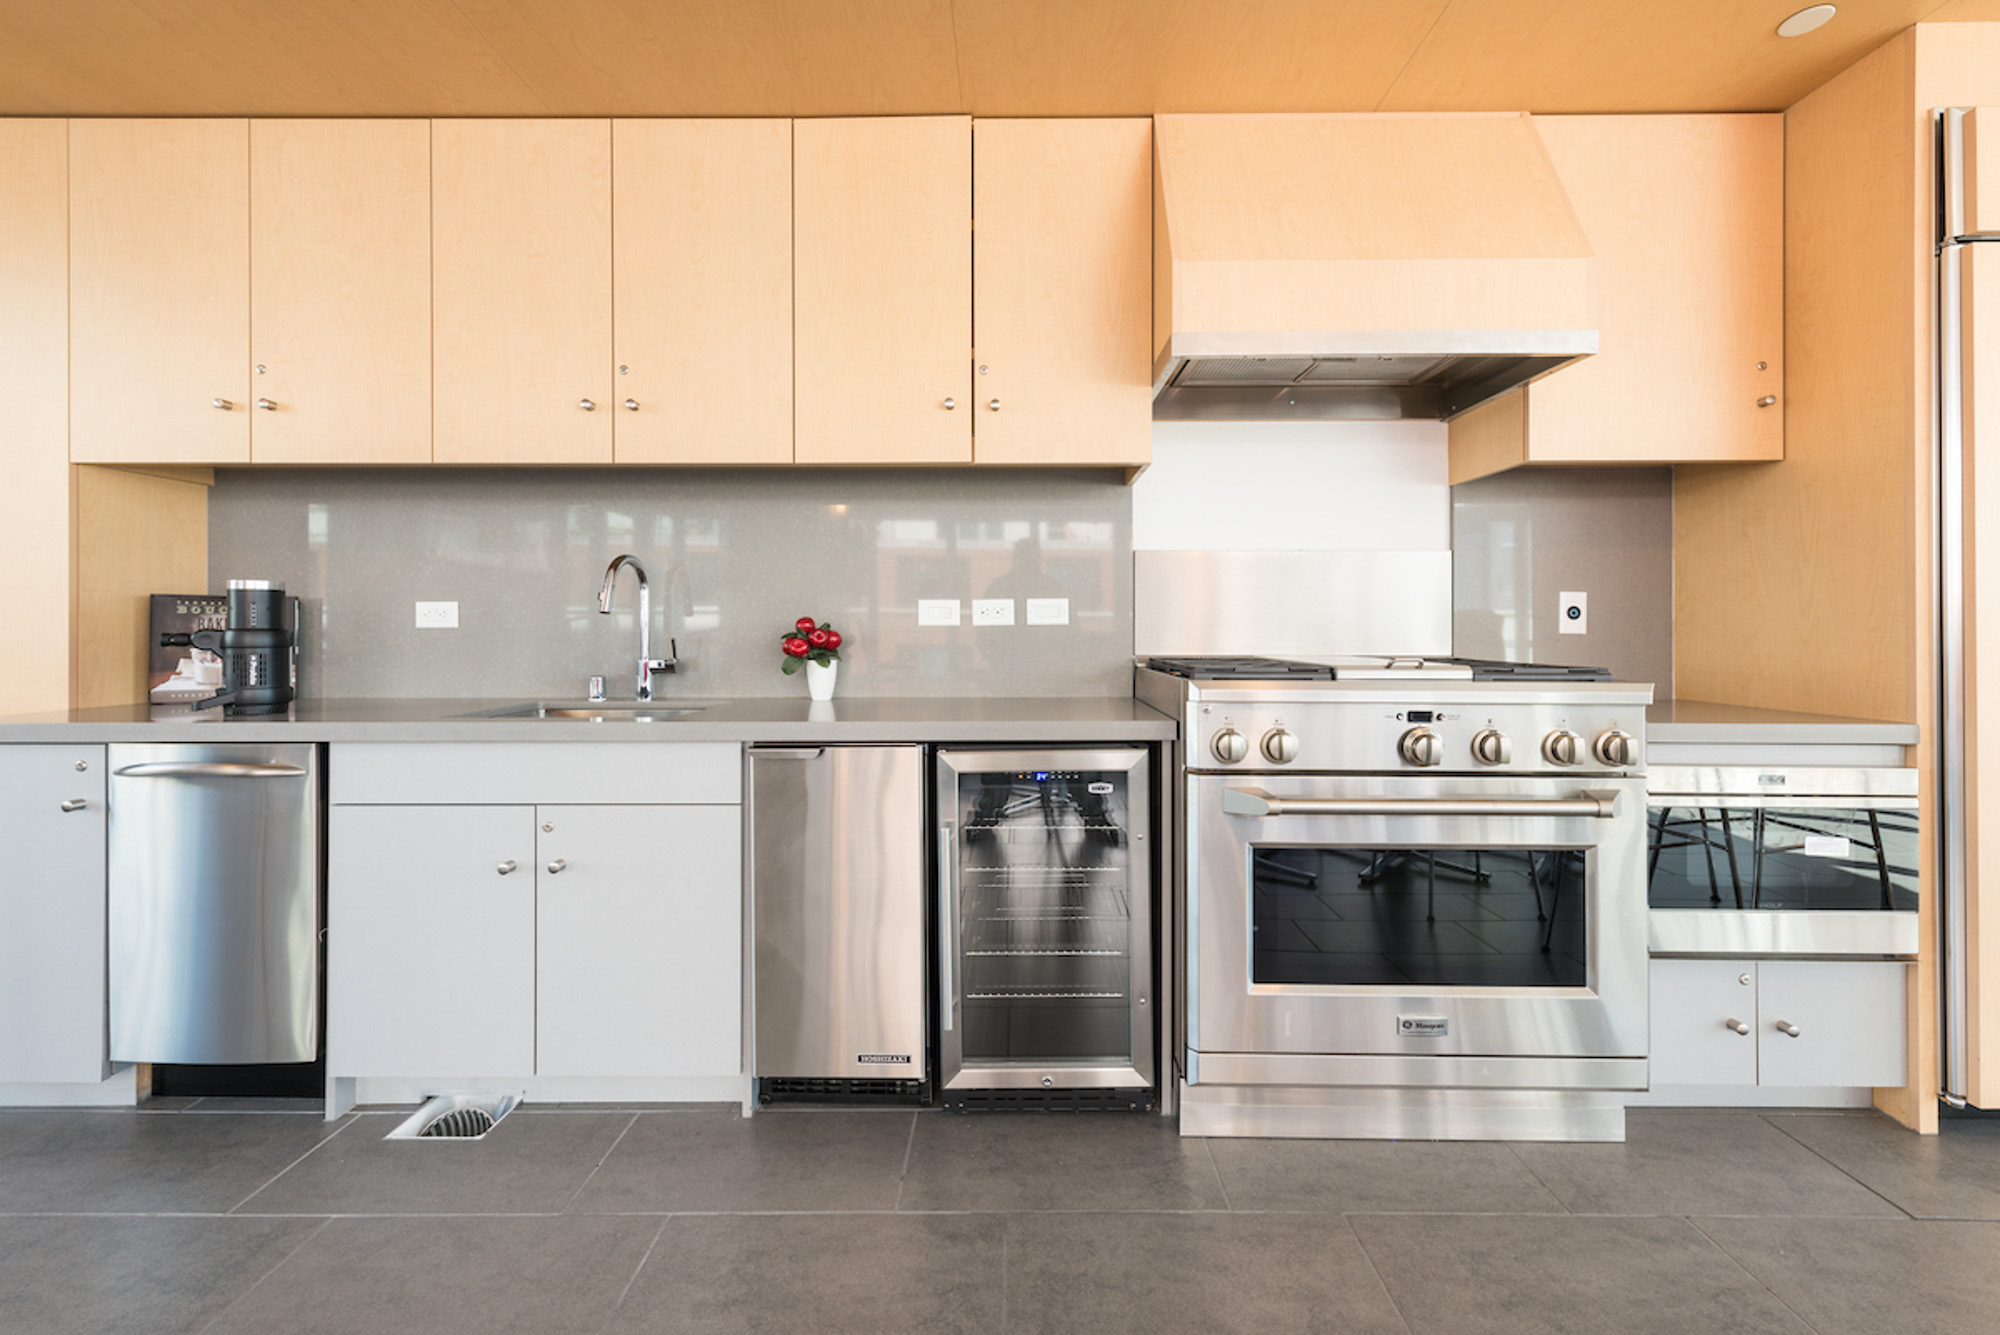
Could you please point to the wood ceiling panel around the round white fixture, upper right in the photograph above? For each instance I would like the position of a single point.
(1591, 57)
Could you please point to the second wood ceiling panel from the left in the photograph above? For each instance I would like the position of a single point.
(743, 59)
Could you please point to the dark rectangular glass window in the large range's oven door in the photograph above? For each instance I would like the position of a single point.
(1473, 918)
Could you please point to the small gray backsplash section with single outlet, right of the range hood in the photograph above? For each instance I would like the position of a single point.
(1527, 537)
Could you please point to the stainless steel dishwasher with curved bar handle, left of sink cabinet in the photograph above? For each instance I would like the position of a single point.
(215, 904)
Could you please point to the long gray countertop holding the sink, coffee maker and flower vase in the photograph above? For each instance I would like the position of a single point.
(1013, 720)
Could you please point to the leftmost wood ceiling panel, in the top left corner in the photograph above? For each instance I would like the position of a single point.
(251, 59)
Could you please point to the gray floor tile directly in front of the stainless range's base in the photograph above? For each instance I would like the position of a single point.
(1379, 1176)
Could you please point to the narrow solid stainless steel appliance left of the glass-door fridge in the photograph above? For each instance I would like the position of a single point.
(839, 934)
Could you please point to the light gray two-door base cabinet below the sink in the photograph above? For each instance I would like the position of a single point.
(499, 938)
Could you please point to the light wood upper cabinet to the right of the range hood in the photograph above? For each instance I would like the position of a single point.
(1687, 221)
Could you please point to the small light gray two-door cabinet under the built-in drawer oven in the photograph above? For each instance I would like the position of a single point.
(1779, 1022)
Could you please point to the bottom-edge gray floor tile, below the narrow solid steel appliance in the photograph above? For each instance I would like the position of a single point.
(867, 1274)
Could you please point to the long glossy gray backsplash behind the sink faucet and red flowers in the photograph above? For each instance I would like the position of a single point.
(733, 559)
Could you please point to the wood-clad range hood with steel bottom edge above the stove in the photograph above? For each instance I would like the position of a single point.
(1361, 267)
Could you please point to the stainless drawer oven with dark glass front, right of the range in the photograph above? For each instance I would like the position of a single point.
(1783, 860)
